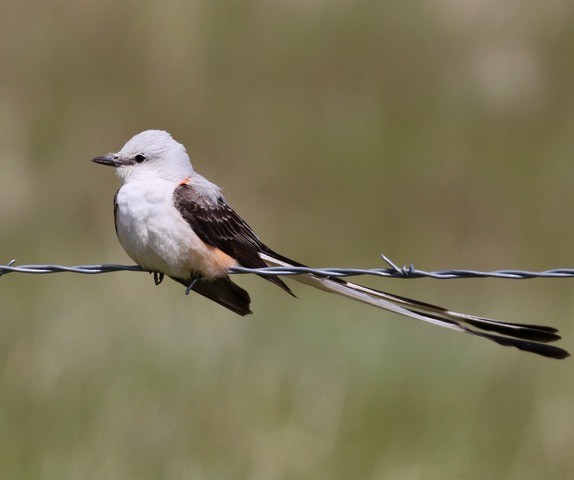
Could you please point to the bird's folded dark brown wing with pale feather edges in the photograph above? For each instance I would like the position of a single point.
(220, 226)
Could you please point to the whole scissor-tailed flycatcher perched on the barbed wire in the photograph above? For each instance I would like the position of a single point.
(171, 220)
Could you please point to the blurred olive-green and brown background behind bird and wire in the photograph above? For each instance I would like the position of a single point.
(439, 132)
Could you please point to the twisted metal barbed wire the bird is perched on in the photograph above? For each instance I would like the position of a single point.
(393, 272)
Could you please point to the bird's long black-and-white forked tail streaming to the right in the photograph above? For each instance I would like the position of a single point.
(530, 338)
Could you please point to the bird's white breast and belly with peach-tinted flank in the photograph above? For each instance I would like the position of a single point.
(156, 237)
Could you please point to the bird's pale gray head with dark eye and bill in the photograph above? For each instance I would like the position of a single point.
(149, 154)
